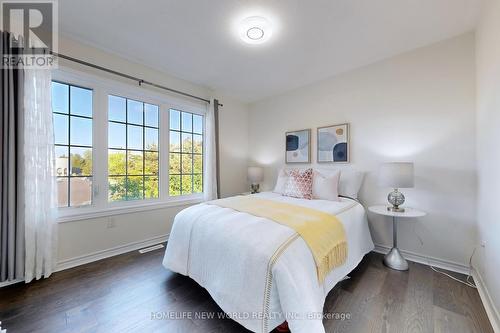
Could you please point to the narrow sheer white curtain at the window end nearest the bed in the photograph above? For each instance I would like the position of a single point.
(210, 170)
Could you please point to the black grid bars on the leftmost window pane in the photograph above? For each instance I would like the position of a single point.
(68, 146)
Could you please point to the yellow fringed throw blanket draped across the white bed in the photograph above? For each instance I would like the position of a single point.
(323, 233)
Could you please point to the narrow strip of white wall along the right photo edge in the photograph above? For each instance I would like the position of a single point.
(488, 140)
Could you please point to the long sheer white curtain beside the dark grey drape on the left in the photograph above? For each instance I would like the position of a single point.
(39, 181)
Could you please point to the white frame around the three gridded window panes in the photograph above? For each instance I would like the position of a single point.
(102, 87)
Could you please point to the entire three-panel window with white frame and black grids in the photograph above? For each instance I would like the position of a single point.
(110, 156)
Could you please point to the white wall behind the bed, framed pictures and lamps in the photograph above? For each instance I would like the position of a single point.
(419, 106)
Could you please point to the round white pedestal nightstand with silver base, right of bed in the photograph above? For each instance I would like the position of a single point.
(394, 259)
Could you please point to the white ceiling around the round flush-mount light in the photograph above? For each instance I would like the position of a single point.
(312, 40)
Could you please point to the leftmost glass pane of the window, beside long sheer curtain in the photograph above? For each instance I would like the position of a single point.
(72, 114)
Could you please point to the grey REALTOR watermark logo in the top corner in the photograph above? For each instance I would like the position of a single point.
(33, 33)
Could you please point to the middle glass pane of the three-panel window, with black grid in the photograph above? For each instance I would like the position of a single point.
(133, 158)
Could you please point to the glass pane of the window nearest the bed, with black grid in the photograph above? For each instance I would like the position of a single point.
(186, 153)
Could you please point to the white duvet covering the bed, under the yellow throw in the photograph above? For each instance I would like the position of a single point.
(259, 272)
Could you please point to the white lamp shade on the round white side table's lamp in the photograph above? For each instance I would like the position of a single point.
(396, 175)
